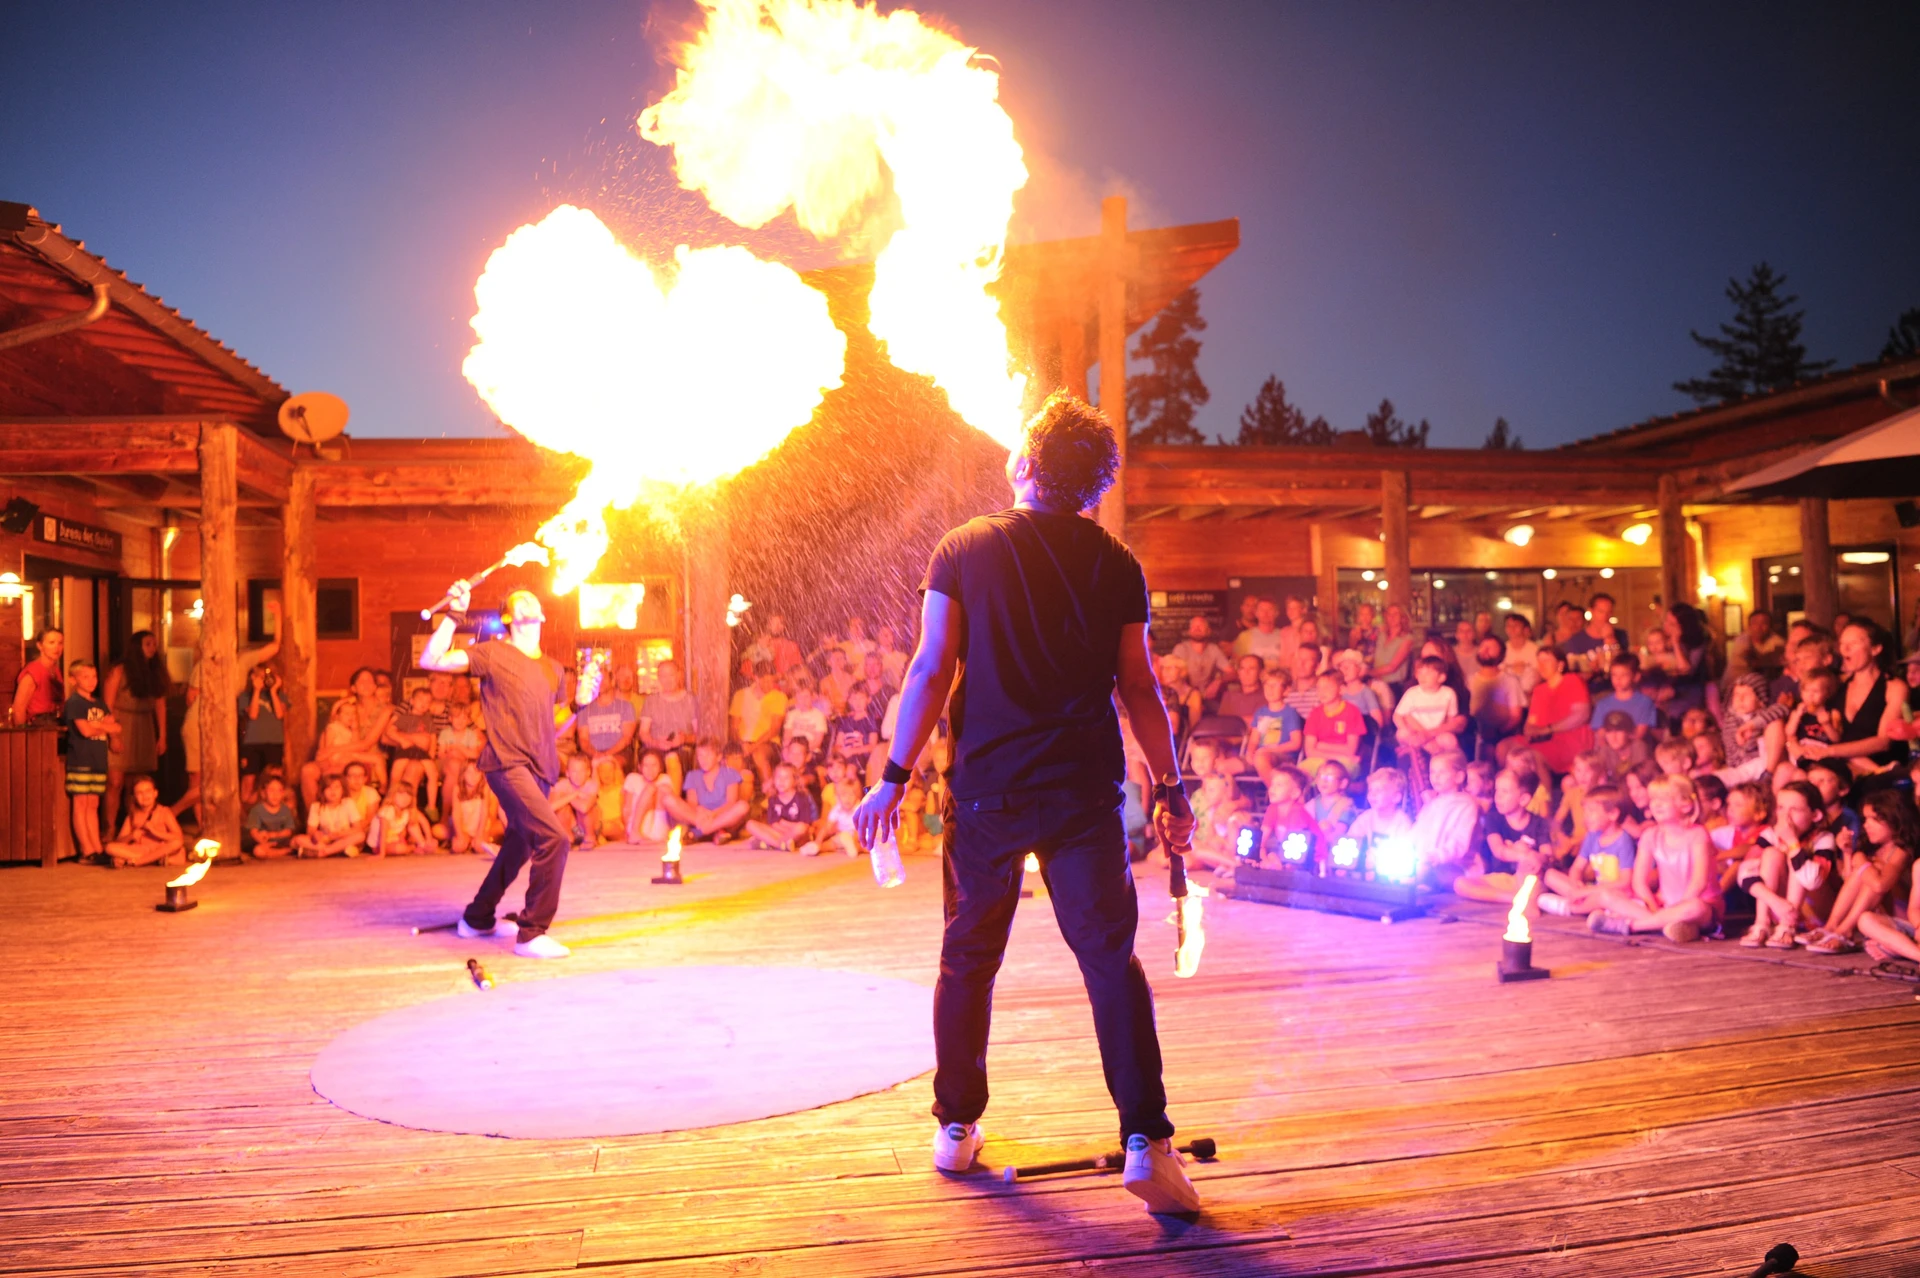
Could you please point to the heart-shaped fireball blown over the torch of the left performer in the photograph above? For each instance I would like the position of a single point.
(660, 383)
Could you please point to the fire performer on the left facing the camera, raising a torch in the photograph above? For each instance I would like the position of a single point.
(519, 690)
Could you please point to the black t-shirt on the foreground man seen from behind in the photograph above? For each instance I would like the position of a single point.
(1045, 598)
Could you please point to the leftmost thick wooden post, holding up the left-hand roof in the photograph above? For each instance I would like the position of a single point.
(220, 636)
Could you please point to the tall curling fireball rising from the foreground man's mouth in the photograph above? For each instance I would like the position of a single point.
(828, 108)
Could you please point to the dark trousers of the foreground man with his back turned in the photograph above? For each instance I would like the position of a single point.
(1084, 861)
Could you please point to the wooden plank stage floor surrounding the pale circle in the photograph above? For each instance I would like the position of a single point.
(1381, 1104)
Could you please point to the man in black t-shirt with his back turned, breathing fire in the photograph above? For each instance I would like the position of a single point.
(1034, 619)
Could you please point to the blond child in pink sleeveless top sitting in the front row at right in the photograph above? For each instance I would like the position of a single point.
(1675, 889)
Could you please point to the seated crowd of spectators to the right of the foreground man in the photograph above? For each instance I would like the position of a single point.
(1656, 784)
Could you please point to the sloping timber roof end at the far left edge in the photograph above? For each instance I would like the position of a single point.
(141, 358)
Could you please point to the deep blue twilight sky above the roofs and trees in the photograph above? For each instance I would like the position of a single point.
(1474, 210)
